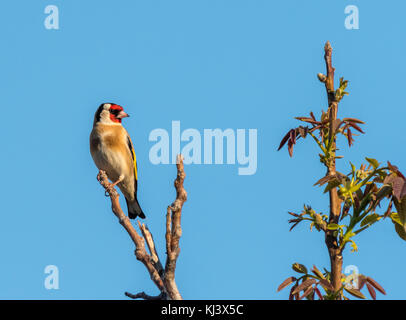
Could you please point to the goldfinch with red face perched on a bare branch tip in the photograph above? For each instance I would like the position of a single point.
(113, 152)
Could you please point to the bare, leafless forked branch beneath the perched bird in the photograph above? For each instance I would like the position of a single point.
(163, 278)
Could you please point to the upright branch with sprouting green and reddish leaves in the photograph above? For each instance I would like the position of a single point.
(354, 198)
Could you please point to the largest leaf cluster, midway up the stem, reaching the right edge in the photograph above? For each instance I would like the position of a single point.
(362, 192)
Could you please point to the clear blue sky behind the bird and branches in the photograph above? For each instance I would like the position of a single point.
(209, 64)
